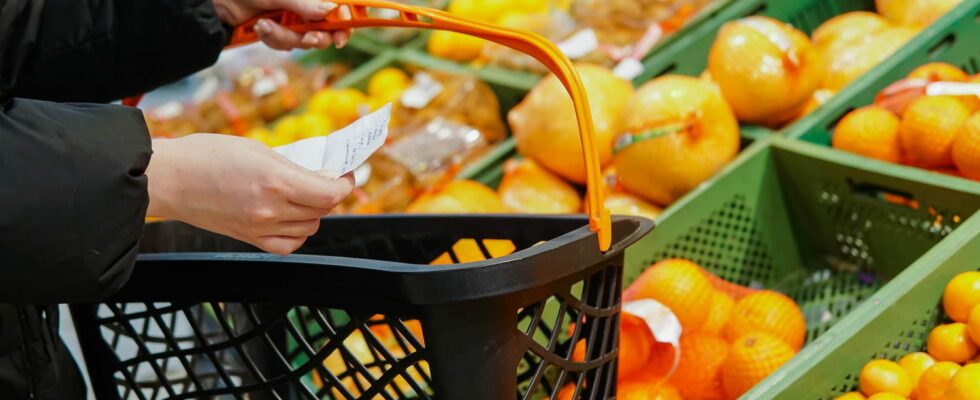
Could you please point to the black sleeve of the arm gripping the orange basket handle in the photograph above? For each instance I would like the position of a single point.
(103, 50)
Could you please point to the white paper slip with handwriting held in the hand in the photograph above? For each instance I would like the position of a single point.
(344, 150)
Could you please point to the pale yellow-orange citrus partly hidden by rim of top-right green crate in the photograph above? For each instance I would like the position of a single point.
(848, 62)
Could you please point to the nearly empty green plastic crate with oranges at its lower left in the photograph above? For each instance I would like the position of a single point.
(813, 223)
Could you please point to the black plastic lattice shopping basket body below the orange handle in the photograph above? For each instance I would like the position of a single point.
(359, 312)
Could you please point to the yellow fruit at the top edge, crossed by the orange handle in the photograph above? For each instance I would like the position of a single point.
(510, 13)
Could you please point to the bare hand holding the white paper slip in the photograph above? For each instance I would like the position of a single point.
(240, 188)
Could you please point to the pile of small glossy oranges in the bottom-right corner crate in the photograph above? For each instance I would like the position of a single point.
(950, 367)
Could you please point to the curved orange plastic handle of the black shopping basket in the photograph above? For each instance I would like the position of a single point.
(527, 42)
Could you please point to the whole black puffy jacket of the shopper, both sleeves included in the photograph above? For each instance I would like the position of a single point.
(72, 186)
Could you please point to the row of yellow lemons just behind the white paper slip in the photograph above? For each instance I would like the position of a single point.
(334, 108)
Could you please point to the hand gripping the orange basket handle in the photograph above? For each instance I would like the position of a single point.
(237, 12)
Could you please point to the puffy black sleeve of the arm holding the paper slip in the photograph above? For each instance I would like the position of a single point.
(72, 199)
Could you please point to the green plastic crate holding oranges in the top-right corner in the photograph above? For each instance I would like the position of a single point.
(954, 39)
